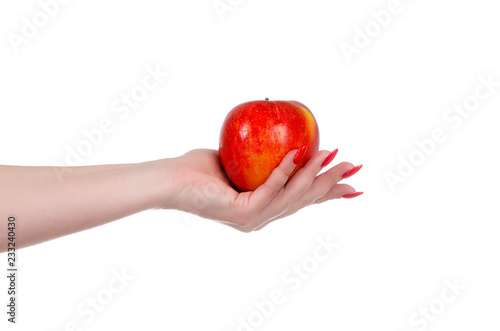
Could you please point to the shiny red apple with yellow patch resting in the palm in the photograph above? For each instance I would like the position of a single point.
(256, 135)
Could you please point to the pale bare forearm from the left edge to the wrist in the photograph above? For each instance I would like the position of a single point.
(47, 206)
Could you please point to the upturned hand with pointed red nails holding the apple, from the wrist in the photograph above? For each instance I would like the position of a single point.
(202, 188)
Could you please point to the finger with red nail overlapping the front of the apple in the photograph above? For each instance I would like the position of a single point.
(263, 195)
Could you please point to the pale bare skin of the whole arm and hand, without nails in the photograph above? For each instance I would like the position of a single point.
(47, 206)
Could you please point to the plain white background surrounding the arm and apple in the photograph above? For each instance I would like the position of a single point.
(398, 248)
